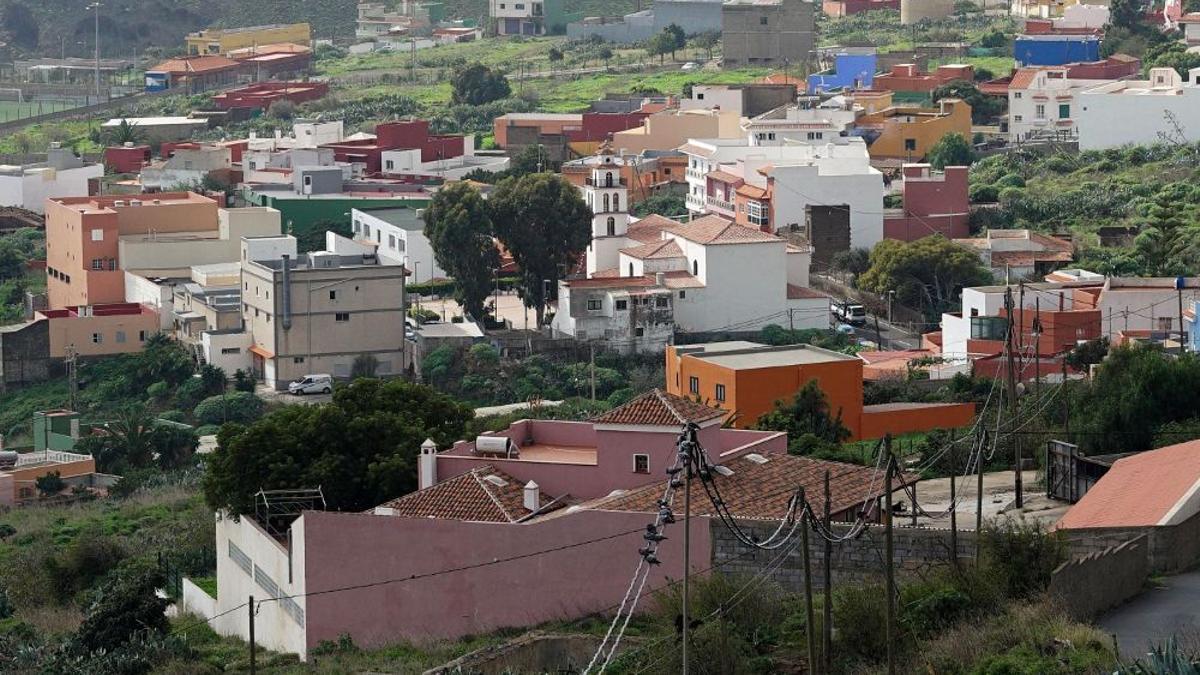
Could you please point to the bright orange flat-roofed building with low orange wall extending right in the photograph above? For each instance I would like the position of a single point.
(747, 380)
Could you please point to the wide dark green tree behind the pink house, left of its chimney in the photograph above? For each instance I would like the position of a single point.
(362, 450)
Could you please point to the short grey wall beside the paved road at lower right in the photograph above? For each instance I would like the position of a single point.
(1102, 581)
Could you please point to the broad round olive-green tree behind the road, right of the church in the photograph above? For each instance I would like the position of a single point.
(928, 273)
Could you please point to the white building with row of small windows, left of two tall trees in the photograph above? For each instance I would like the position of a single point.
(399, 236)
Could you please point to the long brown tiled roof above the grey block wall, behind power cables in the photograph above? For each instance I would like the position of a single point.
(763, 489)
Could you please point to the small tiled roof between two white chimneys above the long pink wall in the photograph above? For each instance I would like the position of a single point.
(477, 495)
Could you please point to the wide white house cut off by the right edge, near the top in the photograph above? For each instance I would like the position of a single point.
(1141, 111)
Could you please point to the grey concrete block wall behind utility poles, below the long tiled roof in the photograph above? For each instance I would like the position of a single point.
(916, 549)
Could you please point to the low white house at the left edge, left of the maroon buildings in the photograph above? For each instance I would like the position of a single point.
(63, 175)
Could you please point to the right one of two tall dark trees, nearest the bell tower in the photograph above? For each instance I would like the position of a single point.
(545, 225)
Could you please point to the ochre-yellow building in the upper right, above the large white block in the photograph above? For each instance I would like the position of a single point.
(909, 133)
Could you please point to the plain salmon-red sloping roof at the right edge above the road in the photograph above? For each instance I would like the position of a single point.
(1144, 491)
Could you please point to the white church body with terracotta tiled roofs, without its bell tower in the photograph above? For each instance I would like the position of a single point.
(710, 276)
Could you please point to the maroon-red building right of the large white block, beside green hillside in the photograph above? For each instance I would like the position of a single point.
(933, 205)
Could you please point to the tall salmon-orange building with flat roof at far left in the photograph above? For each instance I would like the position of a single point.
(83, 240)
